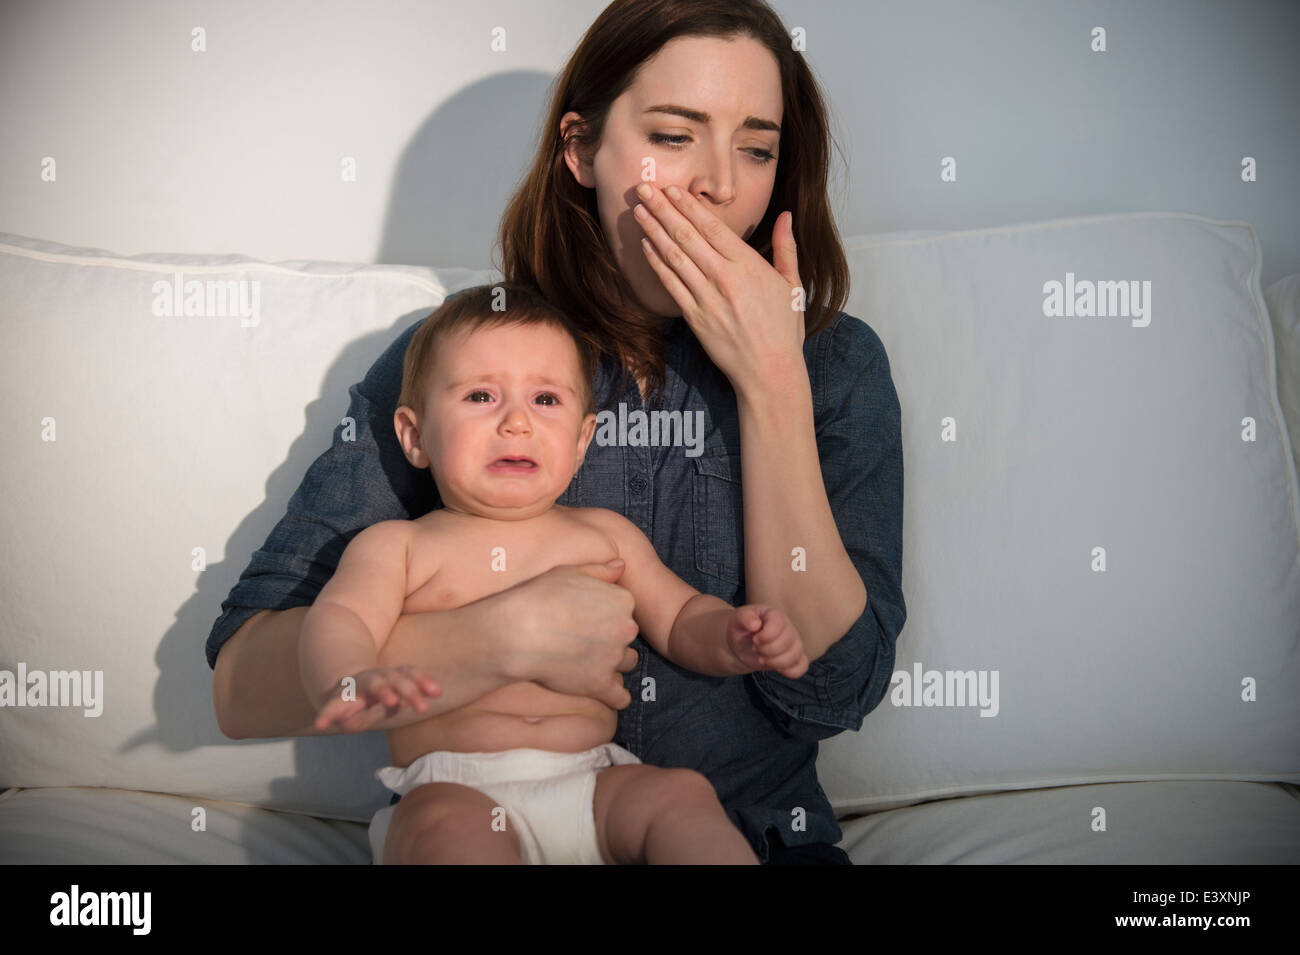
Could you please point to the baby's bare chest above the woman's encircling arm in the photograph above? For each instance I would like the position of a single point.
(454, 563)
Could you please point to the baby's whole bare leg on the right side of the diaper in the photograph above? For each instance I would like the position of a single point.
(662, 818)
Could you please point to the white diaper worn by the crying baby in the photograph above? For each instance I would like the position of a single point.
(548, 797)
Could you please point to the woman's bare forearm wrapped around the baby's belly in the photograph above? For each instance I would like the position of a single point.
(258, 691)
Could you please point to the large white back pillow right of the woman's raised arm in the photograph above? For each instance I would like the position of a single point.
(1072, 435)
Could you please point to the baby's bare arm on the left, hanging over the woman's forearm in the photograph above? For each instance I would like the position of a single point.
(349, 623)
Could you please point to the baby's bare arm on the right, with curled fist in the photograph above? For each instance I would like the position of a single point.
(699, 631)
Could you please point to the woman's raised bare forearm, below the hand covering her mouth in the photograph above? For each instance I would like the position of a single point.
(786, 507)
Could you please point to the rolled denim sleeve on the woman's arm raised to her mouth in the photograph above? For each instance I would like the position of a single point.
(860, 444)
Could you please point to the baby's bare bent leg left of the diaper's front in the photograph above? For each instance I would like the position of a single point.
(448, 824)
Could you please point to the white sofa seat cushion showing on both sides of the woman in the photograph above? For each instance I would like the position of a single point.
(1185, 823)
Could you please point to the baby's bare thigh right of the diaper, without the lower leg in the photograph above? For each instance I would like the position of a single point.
(632, 798)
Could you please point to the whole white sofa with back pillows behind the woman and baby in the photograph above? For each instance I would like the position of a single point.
(1102, 533)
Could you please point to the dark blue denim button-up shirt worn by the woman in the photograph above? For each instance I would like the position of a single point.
(756, 736)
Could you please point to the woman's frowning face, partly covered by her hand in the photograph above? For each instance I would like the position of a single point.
(720, 154)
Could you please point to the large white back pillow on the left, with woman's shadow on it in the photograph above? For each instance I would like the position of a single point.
(171, 435)
